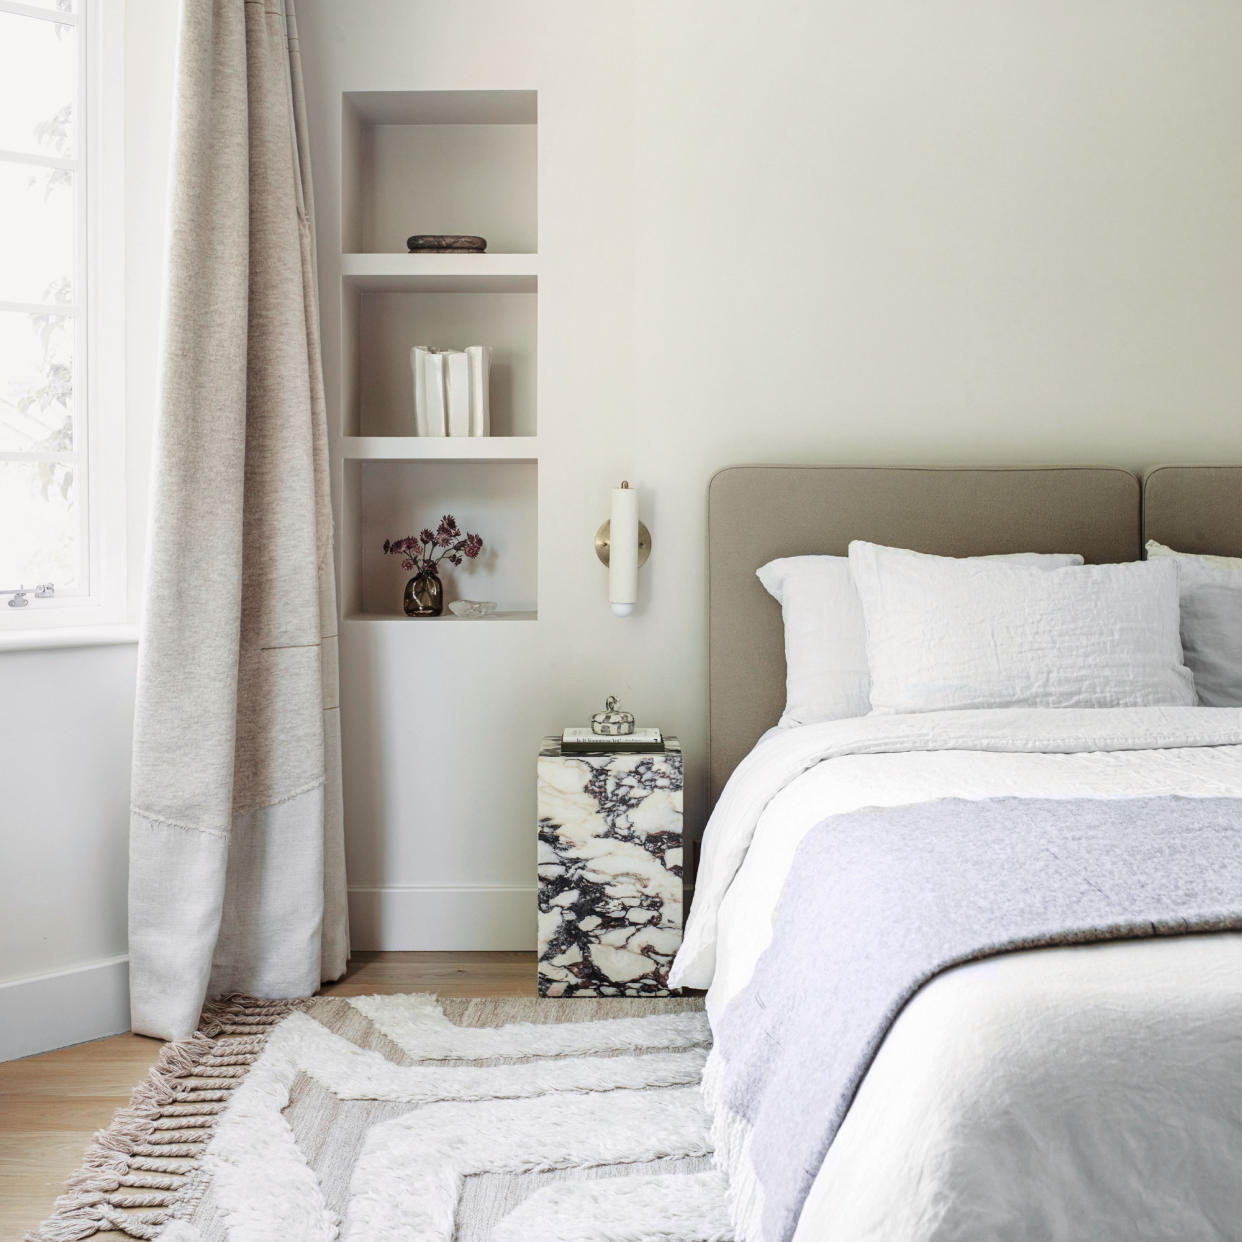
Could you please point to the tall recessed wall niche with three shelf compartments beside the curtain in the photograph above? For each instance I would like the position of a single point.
(438, 162)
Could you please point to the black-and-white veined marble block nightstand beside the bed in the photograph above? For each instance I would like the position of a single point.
(610, 871)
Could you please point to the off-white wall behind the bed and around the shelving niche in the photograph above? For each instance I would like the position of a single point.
(948, 233)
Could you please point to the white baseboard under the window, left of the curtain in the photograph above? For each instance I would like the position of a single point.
(68, 1007)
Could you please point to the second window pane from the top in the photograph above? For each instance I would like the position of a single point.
(37, 234)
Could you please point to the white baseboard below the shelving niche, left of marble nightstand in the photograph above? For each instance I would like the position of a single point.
(476, 917)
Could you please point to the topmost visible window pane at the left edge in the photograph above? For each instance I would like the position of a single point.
(38, 70)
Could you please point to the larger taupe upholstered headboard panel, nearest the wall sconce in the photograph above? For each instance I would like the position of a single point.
(761, 512)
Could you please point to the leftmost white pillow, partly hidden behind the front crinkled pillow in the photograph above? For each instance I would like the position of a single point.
(827, 674)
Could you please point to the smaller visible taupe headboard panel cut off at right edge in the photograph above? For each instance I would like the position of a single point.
(1194, 509)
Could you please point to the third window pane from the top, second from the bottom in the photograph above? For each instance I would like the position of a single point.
(37, 383)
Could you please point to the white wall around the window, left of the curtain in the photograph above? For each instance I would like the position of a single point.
(66, 714)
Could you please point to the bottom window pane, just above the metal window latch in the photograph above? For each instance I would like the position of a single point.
(39, 526)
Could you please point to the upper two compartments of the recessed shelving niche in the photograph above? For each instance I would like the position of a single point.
(455, 162)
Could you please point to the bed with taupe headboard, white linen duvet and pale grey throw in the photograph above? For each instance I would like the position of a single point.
(1085, 1091)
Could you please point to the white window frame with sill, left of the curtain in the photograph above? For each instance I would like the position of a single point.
(105, 612)
